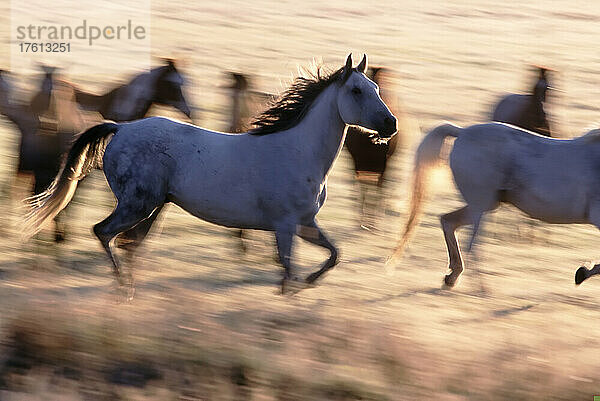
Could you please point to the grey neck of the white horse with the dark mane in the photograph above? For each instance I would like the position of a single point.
(322, 130)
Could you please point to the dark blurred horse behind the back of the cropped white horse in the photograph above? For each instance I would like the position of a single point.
(526, 111)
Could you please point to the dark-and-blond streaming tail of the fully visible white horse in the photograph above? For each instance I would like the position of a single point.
(85, 154)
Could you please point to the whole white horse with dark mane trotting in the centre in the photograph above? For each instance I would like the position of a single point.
(271, 178)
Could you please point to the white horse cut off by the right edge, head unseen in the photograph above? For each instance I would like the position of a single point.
(552, 180)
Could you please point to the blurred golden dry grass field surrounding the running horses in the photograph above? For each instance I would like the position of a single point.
(208, 322)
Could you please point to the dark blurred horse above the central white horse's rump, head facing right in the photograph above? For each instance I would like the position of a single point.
(162, 85)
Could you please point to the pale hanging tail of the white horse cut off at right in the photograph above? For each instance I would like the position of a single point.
(427, 156)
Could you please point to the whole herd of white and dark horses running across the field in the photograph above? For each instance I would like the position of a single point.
(272, 175)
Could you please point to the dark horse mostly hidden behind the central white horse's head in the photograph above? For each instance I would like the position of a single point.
(370, 159)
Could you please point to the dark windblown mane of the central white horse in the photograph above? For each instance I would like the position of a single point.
(294, 103)
